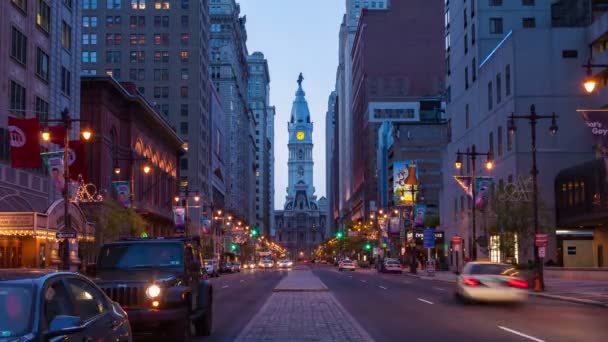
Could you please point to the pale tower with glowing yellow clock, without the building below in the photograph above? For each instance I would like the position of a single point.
(300, 145)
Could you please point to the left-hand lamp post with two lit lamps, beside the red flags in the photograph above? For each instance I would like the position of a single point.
(66, 121)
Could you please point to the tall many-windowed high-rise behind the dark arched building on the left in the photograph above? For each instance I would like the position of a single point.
(162, 47)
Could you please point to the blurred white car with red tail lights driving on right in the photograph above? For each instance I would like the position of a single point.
(491, 282)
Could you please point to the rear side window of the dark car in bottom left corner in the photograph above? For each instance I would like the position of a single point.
(88, 301)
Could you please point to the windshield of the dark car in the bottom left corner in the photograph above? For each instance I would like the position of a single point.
(15, 309)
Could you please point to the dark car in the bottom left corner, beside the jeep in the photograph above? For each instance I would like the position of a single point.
(41, 305)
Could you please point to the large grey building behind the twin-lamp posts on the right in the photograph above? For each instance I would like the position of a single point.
(488, 80)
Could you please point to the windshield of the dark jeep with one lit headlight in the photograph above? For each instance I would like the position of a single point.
(140, 255)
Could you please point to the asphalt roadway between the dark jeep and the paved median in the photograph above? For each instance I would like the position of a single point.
(238, 297)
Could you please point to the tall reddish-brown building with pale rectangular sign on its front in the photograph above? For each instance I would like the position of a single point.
(391, 87)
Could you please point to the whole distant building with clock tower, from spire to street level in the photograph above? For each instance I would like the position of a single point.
(301, 225)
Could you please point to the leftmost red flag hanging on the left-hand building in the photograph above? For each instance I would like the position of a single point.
(25, 144)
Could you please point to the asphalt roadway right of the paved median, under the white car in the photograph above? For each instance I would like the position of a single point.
(393, 307)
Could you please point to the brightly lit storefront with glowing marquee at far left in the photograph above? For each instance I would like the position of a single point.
(28, 239)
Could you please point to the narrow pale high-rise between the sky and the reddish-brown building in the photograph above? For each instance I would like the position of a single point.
(348, 30)
